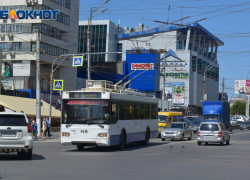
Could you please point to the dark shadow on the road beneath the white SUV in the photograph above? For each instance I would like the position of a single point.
(13, 156)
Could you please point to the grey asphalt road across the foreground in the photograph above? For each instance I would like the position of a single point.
(159, 160)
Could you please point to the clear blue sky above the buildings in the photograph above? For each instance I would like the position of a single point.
(226, 19)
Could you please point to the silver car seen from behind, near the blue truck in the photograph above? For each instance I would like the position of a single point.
(213, 132)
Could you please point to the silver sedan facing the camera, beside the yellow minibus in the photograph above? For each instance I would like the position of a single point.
(176, 130)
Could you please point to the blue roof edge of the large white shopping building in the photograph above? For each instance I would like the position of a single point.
(201, 30)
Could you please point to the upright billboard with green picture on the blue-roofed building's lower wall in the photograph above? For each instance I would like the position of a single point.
(178, 98)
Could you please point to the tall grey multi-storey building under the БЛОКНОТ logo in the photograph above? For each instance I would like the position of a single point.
(60, 36)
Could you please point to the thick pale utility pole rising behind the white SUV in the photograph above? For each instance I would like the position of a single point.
(38, 86)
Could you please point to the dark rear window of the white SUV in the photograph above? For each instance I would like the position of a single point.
(12, 120)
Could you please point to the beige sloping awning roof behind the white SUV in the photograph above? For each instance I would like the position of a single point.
(28, 106)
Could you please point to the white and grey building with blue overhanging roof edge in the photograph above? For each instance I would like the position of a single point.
(190, 51)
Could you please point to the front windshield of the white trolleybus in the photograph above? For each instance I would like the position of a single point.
(86, 112)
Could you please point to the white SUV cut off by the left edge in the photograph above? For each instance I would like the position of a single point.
(15, 134)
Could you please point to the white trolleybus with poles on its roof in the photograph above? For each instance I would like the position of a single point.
(105, 115)
